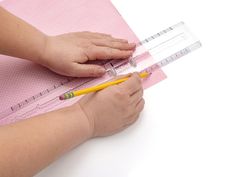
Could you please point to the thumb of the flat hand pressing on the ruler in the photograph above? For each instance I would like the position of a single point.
(87, 70)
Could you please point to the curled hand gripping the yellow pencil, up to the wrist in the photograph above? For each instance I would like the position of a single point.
(114, 108)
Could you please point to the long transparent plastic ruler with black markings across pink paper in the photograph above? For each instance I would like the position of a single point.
(165, 47)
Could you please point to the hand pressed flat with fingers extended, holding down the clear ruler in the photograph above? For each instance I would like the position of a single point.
(65, 54)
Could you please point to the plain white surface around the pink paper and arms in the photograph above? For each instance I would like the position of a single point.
(188, 127)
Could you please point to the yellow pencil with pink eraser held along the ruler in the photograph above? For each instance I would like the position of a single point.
(98, 87)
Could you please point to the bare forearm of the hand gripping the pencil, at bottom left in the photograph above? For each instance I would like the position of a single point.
(28, 146)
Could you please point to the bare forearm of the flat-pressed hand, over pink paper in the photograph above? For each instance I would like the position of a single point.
(19, 39)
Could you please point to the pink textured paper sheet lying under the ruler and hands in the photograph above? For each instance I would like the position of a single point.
(20, 79)
